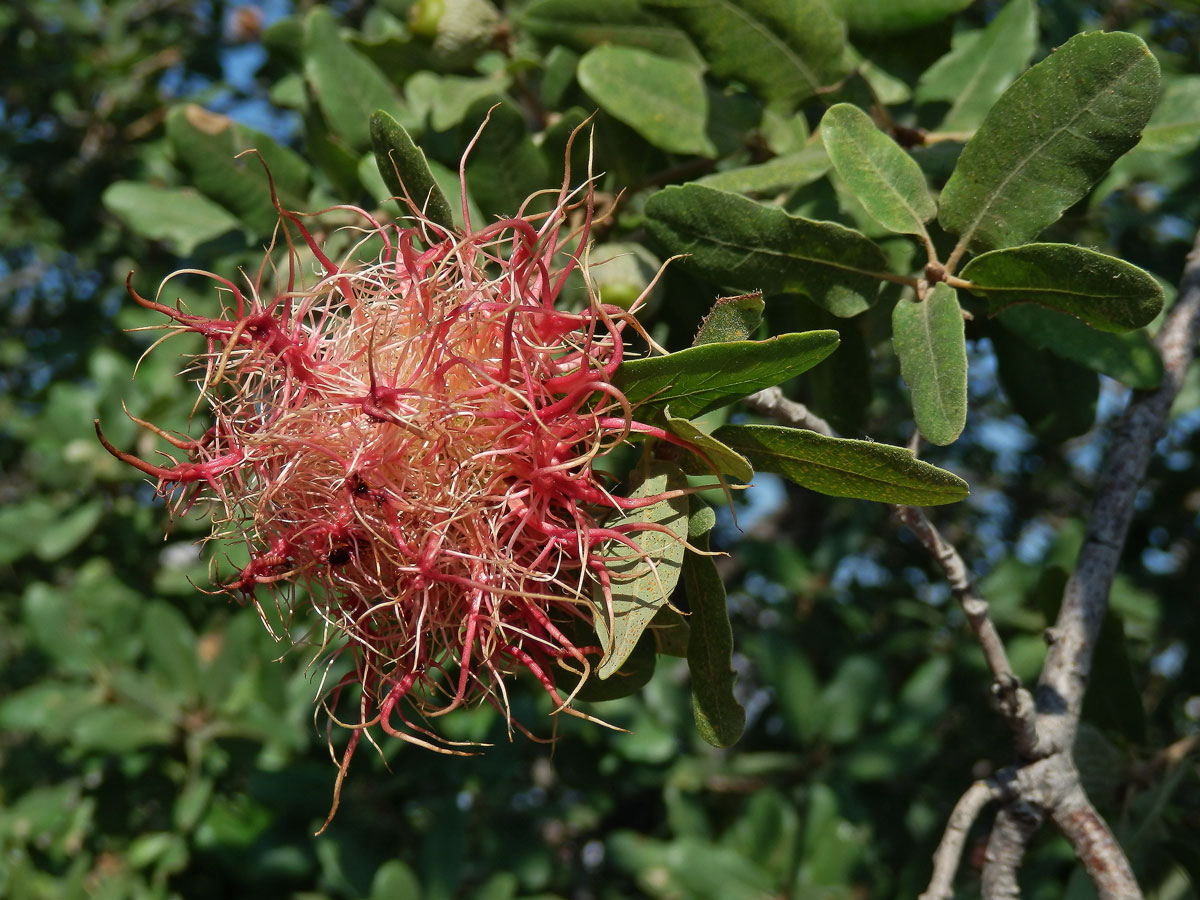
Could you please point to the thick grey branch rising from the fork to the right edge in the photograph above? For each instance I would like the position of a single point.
(1087, 598)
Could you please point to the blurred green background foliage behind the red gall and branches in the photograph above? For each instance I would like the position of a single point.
(155, 742)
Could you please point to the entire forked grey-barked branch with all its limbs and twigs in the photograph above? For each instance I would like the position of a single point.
(1046, 783)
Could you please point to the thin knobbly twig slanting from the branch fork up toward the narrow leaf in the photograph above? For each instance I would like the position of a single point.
(1016, 703)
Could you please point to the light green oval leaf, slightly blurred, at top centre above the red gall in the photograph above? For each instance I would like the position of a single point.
(662, 99)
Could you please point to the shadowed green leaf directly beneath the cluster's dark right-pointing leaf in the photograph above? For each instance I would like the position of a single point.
(1131, 358)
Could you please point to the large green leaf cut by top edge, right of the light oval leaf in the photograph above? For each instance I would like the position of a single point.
(787, 50)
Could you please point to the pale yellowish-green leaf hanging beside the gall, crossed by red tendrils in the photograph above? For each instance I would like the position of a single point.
(643, 583)
